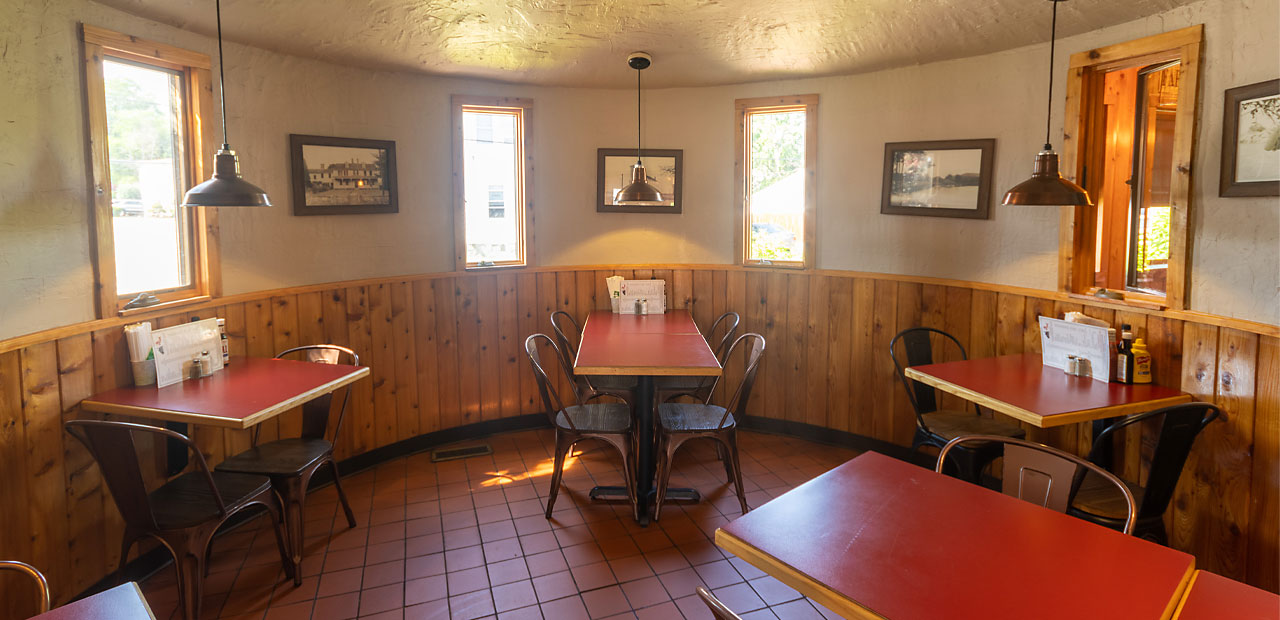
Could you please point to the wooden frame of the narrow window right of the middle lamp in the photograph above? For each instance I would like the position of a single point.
(743, 108)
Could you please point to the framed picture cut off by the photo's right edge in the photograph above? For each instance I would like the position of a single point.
(1251, 142)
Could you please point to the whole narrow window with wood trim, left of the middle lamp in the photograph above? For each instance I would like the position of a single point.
(491, 183)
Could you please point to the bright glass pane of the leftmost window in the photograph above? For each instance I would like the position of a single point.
(144, 112)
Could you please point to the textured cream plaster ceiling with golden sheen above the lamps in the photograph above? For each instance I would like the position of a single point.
(694, 43)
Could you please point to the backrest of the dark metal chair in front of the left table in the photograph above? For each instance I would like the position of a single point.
(115, 448)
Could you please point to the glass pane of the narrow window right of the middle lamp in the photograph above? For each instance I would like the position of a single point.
(776, 186)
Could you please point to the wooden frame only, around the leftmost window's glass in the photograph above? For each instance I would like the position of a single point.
(196, 75)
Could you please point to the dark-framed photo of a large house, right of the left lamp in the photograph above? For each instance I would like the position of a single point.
(342, 176)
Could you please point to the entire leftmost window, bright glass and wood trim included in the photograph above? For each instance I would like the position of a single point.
(147, 107)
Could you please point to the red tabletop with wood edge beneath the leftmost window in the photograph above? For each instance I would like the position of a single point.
(245, 393)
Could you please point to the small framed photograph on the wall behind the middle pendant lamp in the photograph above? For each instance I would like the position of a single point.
(664, 168)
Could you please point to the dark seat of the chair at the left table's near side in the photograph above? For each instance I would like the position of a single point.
(186, 502)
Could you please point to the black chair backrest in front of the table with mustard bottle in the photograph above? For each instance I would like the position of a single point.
(1178, 432)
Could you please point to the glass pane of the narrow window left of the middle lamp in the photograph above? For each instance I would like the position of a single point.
(491, 180)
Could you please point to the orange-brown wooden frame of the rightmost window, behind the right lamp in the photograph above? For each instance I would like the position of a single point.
(1084, 151)
